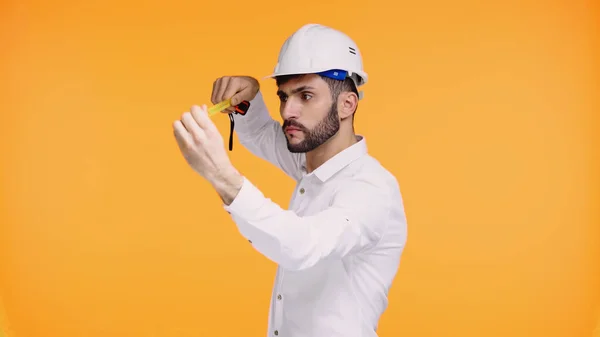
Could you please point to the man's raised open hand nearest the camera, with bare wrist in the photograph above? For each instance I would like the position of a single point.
(202, 147)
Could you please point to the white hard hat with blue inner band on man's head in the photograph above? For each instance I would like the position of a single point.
(317, 49)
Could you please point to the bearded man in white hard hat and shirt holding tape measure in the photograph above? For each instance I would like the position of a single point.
(338, 246)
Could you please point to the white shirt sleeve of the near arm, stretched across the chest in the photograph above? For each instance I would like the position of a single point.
(355, 220)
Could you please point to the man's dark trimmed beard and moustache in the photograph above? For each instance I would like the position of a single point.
(315, 137)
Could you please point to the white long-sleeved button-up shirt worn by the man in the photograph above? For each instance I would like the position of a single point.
(337, 247)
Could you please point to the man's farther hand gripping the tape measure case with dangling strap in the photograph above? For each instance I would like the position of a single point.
(236, 88)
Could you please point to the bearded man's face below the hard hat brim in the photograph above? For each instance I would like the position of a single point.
(309, 113)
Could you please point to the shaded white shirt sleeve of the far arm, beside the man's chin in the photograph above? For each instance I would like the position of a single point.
(262, 135)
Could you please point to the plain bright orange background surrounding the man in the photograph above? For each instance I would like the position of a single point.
(492, 113)
